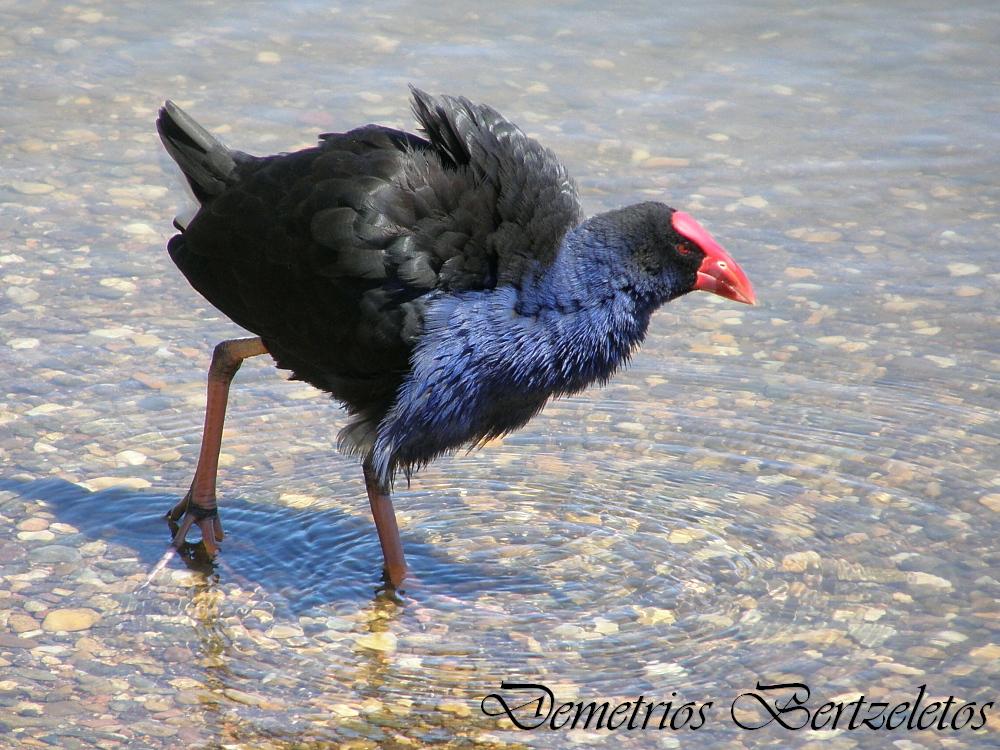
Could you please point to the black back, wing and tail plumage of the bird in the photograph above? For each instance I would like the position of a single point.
(333, 254)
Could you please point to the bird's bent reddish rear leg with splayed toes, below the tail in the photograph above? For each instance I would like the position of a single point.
(198, 506)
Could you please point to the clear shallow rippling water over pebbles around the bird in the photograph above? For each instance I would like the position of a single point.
(804, 491)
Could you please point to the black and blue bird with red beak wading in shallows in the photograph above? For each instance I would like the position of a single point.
(441, 285)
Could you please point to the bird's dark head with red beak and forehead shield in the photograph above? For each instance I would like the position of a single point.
(677, 255)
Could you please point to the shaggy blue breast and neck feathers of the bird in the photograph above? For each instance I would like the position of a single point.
(488, 361)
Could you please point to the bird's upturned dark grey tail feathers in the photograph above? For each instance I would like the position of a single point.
(207, 164)
